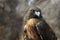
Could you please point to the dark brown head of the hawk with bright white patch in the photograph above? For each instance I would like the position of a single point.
(35, 13)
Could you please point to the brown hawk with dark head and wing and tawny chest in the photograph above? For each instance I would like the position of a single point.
(36, 28)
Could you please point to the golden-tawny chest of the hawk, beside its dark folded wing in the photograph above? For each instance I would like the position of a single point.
(31, 31)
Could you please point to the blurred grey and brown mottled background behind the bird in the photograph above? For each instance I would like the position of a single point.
(12, 16)
